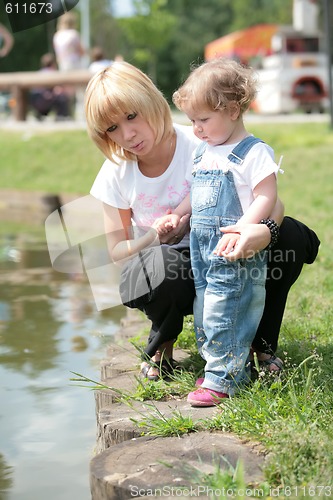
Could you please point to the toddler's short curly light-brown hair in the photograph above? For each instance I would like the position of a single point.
(216, 84)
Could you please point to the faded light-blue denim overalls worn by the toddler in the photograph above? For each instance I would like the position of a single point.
(230, 296)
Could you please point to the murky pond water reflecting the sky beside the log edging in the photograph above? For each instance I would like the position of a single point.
(49, 327)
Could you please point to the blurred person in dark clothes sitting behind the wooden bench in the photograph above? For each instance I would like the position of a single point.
(46, 100)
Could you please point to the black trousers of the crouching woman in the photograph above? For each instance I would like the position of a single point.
(167, 304)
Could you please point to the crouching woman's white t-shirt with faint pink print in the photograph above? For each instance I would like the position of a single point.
(124, 186)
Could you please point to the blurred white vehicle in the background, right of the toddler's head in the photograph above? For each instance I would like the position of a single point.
(295, 77)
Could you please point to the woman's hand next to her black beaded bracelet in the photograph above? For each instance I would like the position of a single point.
(253, 238)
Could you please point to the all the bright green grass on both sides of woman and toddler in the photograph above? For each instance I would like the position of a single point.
(292, 416)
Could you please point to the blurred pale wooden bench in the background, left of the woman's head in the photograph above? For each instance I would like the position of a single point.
(19, 83)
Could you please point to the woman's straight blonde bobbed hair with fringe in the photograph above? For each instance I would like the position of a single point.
(122, 88)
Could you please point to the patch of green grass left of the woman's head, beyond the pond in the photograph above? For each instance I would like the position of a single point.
(57, 162)
